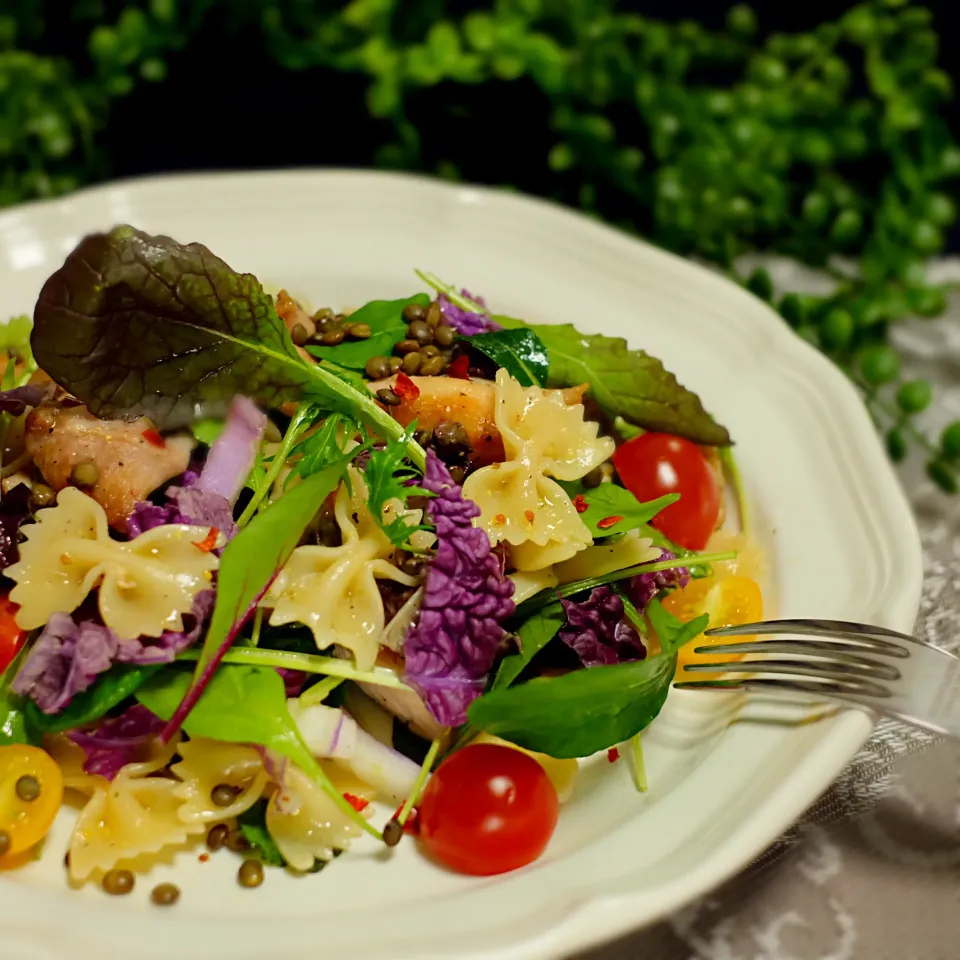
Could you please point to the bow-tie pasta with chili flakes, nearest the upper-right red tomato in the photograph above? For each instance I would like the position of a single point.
(543, 438)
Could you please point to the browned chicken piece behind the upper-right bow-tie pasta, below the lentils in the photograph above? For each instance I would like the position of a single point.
(468, 402)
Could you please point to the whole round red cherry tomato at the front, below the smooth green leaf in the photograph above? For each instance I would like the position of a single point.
(488, 809)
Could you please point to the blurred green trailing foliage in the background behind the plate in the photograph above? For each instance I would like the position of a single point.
(827, 146)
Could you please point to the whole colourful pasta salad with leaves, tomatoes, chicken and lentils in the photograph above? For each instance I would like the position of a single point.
(268, 568)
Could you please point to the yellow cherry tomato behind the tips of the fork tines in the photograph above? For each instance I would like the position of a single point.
(728, 601)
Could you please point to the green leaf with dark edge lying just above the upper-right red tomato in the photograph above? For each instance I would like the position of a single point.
(626, 383)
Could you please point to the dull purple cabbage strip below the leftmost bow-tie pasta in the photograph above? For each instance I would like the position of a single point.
(70, 654)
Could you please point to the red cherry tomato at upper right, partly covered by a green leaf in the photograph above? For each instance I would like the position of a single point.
(654, 464)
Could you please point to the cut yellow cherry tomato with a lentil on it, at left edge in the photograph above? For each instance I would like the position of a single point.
(31, 791)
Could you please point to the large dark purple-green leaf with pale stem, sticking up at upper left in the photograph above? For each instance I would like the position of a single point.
(133, 325)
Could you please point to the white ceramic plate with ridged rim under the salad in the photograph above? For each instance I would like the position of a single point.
(839, 532)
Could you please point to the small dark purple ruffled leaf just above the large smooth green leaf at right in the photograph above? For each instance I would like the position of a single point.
(597, 631)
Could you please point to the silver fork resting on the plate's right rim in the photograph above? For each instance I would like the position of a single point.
(885, 671)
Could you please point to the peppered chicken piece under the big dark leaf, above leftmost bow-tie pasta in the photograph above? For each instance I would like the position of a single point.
(130, 457)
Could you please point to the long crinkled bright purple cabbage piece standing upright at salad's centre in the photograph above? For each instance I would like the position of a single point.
(451, 649)
